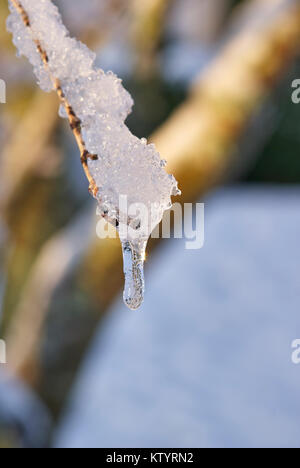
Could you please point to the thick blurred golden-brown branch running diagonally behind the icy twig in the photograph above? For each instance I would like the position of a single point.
(200, 139)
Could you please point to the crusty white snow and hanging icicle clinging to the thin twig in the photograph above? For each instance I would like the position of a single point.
(126, 165)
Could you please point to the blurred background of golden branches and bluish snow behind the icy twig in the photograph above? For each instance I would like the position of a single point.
(207, 360)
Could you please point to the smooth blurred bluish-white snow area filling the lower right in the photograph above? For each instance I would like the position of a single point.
(207, 361)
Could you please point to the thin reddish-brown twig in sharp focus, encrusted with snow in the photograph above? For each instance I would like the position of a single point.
(75, 122)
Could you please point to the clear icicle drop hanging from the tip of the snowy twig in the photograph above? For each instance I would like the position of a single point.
(134, 259)
